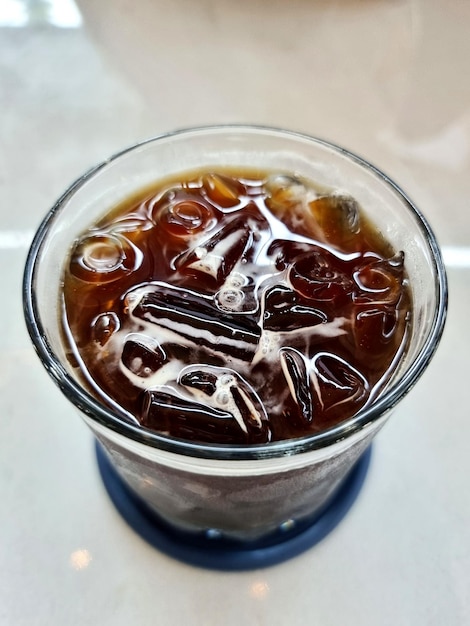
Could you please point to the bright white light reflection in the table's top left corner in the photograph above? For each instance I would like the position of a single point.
(23, 13)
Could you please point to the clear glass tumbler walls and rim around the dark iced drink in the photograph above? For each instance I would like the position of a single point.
(239, 492)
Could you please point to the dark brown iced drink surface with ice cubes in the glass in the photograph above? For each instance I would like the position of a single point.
(236, 307)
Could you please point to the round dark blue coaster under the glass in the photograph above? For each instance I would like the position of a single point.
(224, 554)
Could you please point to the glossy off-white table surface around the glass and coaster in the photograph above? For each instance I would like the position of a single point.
(388, 80)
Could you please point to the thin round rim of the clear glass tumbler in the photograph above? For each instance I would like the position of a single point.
(106, 417)
